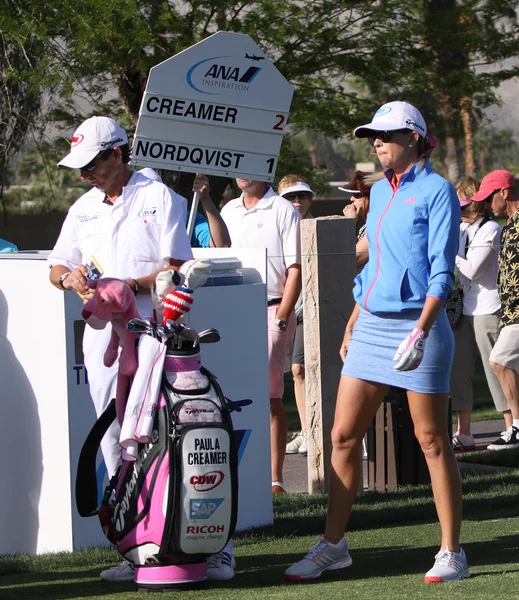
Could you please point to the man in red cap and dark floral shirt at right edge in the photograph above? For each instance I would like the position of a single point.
(499, 188)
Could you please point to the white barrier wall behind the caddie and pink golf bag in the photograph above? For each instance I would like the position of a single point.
(46, 411)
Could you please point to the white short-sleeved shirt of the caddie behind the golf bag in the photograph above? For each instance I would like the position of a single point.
(131, 238)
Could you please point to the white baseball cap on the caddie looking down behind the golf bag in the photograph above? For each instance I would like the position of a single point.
(92, 137)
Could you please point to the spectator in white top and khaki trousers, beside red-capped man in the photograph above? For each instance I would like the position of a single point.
(478, 328)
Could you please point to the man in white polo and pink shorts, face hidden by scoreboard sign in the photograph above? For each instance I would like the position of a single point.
(257, 219)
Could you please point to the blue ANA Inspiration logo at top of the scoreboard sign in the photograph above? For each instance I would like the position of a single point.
(222, 73)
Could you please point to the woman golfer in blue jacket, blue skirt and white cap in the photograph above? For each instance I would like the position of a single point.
(413, 233)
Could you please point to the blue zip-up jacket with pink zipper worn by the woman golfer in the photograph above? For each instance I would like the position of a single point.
(413, 236)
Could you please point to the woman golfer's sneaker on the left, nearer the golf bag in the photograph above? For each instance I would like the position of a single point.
(322, 557)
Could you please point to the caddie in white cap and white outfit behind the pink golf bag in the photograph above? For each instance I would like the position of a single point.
(126, 226)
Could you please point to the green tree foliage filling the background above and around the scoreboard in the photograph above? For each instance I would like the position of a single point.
(94, 57)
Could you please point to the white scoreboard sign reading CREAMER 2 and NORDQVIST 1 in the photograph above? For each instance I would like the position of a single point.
(220, 108)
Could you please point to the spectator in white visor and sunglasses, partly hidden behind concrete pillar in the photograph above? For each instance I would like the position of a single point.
(295, 189)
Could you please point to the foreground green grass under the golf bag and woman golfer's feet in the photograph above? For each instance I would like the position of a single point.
(393, 538)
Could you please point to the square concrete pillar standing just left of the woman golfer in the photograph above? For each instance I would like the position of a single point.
(328, 268)
